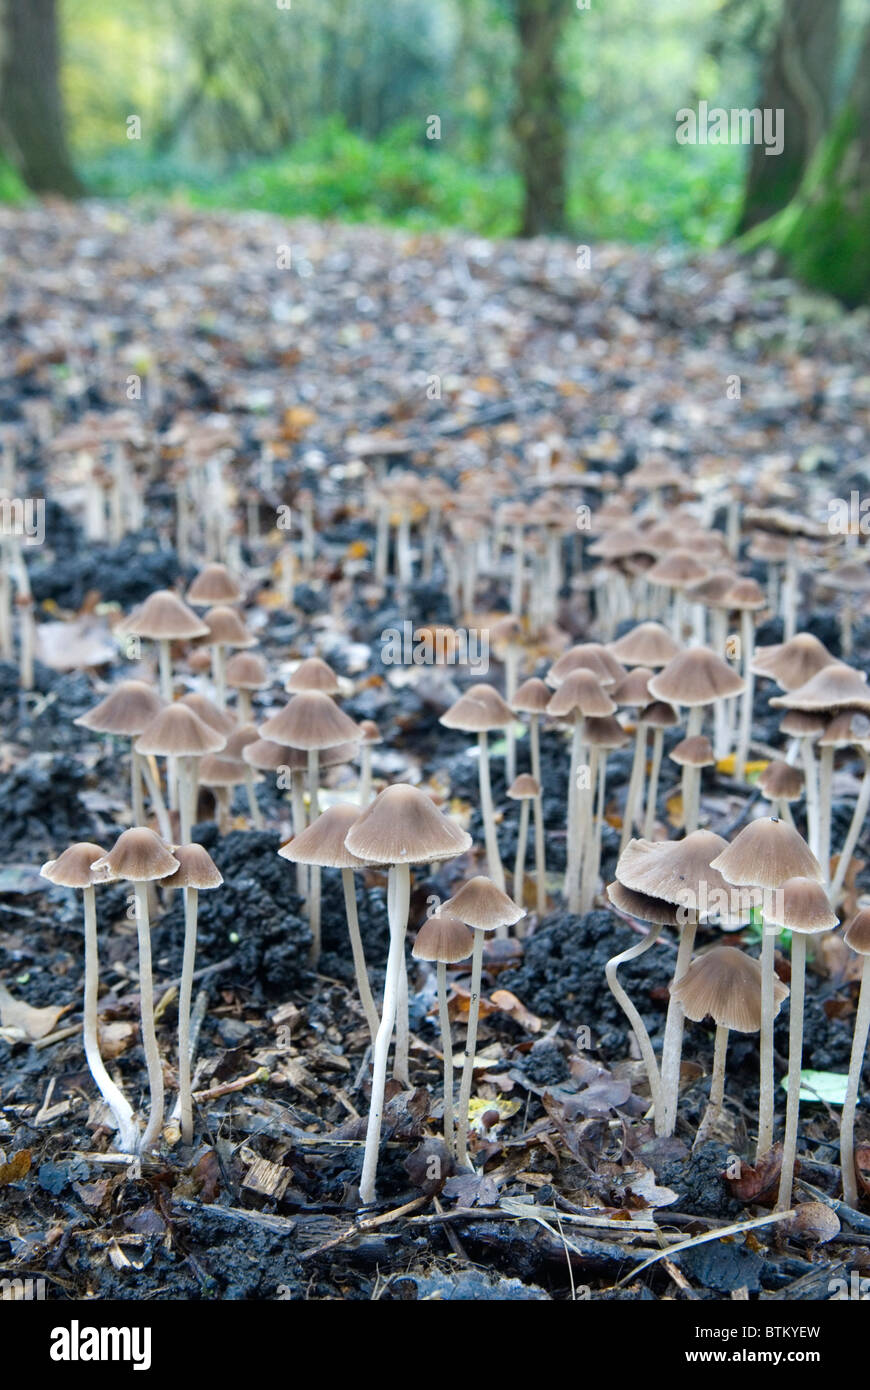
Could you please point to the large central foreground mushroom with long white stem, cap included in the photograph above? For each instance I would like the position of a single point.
(400, 829)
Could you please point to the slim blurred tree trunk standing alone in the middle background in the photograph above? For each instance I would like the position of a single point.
(537, 122)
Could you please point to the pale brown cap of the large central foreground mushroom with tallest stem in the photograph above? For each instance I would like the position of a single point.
(404, 828)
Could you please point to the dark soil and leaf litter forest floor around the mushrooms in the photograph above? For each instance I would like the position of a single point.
(470, 352)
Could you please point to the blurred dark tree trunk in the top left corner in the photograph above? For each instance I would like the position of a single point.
(31, 108)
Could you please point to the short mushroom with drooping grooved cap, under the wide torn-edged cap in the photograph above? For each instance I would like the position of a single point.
(726, 985)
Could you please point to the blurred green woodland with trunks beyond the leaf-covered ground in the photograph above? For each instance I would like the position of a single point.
(504, 117)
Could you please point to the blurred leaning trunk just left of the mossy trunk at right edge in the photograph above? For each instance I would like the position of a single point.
(798, 81)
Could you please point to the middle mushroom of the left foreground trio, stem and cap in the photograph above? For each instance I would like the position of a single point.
(140, 857)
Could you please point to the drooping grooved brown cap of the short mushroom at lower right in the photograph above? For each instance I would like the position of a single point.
(726, 985)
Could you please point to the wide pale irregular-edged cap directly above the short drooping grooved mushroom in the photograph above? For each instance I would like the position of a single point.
(683, 872)
